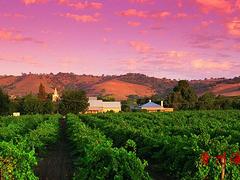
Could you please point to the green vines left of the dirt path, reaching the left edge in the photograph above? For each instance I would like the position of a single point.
(20, 139)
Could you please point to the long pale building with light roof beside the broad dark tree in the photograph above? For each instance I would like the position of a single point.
(97, 106)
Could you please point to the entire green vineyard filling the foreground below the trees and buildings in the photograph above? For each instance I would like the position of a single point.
(179, 145)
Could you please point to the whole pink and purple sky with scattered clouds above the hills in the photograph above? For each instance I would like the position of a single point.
(182, 39)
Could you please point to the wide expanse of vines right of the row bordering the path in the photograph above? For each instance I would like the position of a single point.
(175, 141)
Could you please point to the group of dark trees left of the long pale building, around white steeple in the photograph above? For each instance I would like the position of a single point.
(73, 101)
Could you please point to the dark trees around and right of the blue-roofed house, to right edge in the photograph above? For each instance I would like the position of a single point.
(184, 97)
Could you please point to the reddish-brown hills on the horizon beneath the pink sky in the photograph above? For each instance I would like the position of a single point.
(119, 86)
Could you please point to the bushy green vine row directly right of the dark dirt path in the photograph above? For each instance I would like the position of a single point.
(97, 159)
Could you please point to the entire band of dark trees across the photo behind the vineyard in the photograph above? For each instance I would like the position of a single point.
(182, 97)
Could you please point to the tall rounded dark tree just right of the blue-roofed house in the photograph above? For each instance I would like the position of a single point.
(183, 96)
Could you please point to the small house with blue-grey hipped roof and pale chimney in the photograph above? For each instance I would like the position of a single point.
(153, 107)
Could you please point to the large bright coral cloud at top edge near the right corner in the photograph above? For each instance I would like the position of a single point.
(220, 5)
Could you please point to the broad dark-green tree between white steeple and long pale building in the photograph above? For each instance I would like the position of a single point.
(73, 101)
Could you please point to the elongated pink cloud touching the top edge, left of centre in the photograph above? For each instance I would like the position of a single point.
(82, 5)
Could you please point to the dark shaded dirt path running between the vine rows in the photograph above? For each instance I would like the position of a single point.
(57, 163)
